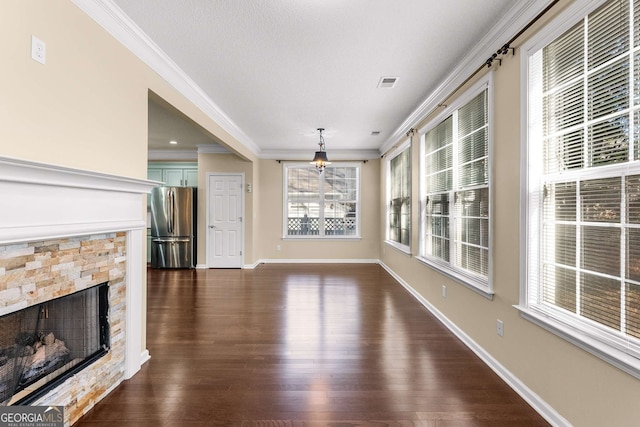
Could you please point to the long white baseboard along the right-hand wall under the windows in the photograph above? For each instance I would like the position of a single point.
(542, 407)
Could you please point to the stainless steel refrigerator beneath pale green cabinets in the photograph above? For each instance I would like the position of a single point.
(173, 225)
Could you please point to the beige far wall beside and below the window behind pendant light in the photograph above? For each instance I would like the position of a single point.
(270, 221)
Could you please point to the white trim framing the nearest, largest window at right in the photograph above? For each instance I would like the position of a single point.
(582, 333)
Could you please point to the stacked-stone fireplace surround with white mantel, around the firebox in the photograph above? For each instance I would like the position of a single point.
(63, 231)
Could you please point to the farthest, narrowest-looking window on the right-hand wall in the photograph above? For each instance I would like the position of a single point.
(399, 198)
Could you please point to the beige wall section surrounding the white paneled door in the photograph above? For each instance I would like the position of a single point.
(225, 163)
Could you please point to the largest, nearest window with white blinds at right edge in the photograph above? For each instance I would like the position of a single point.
(583, 183)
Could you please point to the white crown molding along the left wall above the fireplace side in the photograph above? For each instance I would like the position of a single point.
(110, 17)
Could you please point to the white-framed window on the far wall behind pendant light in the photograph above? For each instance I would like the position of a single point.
(322, 205)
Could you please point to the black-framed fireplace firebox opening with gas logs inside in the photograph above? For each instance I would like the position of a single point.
(43, 345)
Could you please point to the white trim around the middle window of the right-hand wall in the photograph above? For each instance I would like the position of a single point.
(481, 285)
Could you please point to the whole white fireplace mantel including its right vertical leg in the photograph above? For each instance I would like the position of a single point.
(42, 201)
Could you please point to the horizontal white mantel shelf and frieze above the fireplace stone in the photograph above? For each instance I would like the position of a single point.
(46, 201)
